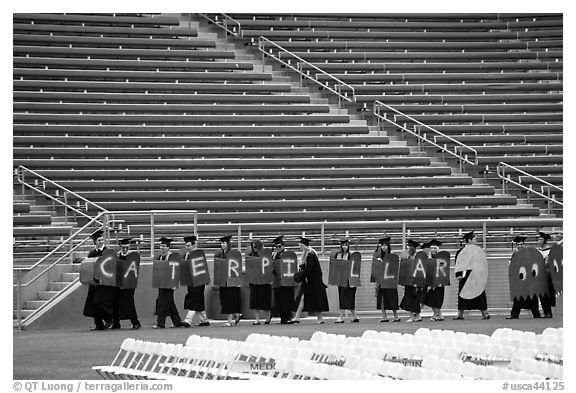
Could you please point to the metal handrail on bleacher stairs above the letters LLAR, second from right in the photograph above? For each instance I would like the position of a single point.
(461, 157)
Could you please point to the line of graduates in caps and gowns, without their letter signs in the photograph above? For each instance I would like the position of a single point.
(108, 305)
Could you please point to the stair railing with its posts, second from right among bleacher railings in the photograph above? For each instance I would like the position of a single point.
(464, 153)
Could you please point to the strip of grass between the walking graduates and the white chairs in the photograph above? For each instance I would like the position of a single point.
(70, 354)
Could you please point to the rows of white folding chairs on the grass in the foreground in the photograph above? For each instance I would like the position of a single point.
(427, 354)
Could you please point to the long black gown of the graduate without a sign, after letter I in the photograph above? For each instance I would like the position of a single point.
(312, 286)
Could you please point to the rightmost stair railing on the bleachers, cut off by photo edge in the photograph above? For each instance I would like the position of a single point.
(504, 172)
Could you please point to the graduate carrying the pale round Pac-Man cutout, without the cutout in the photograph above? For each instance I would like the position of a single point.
(479, 302)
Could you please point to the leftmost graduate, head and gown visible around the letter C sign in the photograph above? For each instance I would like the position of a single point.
(101, 313)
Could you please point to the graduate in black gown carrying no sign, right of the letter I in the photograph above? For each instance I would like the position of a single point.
(312, 296)
